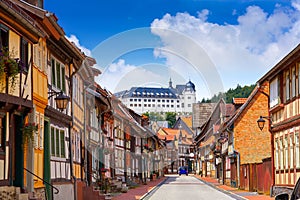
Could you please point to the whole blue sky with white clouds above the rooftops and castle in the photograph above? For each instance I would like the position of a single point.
(238, 41)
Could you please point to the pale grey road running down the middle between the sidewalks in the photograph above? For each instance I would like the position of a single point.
(185, 188)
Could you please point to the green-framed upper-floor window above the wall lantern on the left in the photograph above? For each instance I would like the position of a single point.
(58, 74)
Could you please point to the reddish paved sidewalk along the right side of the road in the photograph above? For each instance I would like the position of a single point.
(235, 191)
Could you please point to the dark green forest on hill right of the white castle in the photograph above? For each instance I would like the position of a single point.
(238, 92)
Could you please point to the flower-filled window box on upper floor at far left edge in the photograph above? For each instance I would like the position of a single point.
(9, 68)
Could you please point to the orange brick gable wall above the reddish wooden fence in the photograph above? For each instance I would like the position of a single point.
(252, 143)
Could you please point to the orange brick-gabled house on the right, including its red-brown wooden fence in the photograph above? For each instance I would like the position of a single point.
(246, 150)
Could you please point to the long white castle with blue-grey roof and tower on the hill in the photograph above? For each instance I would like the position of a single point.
(142, 99)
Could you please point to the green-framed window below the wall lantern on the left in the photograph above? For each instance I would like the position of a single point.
(58, 142)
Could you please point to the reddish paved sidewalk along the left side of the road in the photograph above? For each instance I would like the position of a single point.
(137, 193)
